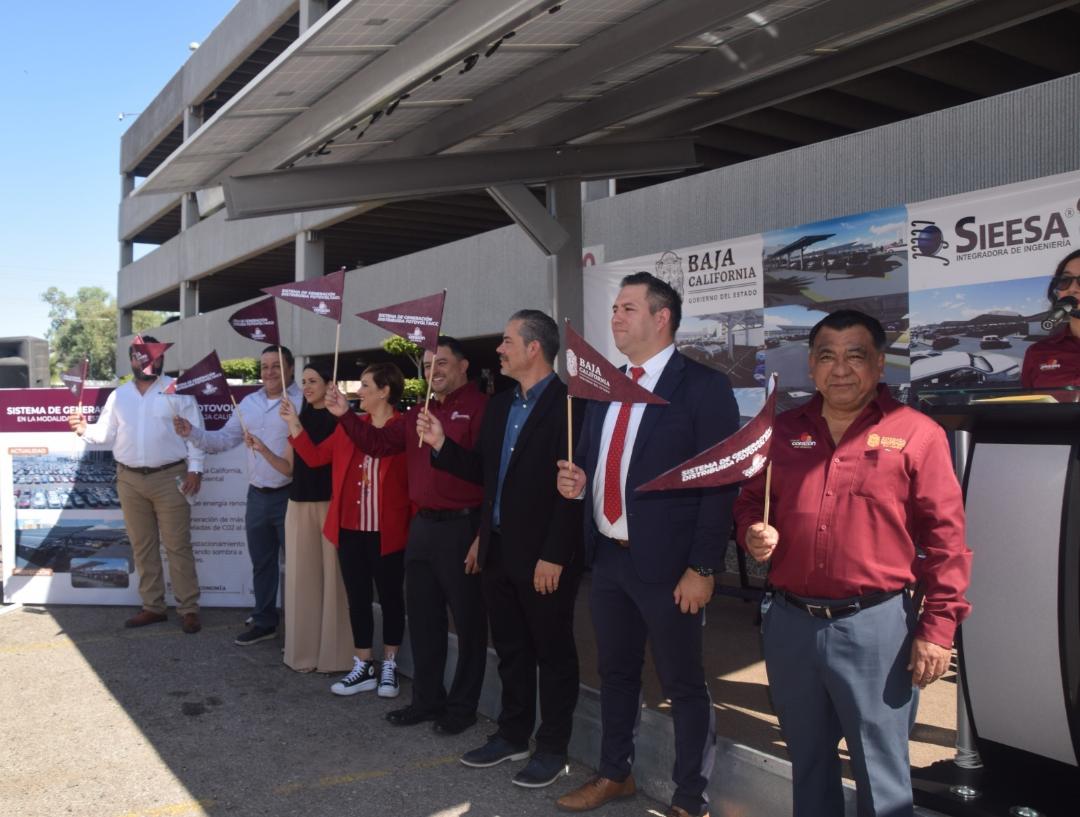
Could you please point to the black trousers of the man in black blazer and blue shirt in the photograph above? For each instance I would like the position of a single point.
(532, 632)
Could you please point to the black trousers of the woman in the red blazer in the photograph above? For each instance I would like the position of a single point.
(362, 565)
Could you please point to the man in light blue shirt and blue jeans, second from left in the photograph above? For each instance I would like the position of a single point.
(268, 490)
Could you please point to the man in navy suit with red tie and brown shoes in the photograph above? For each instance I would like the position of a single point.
(653, 555)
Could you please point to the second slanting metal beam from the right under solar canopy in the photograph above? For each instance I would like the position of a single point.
(753, 52)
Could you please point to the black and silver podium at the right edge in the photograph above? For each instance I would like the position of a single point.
(1020, 650)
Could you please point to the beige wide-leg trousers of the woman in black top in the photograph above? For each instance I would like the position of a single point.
(318, 635)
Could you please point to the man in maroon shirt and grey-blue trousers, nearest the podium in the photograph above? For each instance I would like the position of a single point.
(866, 506)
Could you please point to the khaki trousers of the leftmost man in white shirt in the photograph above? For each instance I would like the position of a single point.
(156, 514)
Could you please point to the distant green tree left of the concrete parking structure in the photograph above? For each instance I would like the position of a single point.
(85, 326)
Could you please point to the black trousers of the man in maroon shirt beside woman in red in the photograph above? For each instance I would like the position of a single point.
(436, 580)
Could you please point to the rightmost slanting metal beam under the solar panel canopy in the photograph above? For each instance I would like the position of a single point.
(951, 29)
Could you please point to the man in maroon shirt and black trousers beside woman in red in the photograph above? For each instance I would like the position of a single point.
(441, 555)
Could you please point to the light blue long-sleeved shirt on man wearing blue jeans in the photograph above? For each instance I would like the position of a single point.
(260, 413)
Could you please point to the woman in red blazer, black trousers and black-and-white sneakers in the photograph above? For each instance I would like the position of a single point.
(368, 521)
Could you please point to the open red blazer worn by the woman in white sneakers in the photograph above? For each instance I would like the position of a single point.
(395, 507)
